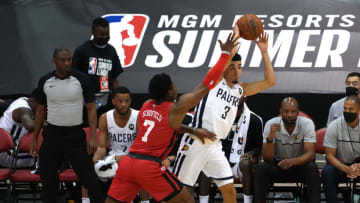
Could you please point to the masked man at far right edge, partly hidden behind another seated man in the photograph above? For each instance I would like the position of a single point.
(352, 85)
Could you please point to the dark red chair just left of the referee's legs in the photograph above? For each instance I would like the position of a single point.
(22, 180)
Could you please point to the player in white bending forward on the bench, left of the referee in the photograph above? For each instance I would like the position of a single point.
(17, 120)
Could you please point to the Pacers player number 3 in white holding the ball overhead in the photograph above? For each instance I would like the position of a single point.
(216, 113)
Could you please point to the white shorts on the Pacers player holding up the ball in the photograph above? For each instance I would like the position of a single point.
(194, 157)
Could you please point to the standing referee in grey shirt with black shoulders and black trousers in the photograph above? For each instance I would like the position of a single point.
(62, 94)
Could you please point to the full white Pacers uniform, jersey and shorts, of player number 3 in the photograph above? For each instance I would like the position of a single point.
(216, 113)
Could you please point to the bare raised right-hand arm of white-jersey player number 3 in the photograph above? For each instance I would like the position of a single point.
(269, 76)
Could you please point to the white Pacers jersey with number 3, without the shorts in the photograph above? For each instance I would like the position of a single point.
(217, 111)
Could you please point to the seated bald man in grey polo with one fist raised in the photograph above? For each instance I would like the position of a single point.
(288, 152)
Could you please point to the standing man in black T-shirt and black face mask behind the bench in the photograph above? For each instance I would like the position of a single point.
(100, 61)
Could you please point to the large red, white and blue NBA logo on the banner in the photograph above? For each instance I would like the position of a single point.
(126, 34)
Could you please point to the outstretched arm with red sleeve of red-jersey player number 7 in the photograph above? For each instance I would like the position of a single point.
(189, 100)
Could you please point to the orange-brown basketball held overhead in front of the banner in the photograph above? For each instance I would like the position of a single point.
(249, 26)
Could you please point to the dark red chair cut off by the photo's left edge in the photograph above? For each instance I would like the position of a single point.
(5, 145)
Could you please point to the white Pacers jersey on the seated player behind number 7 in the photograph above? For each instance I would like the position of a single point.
(121, 138)
